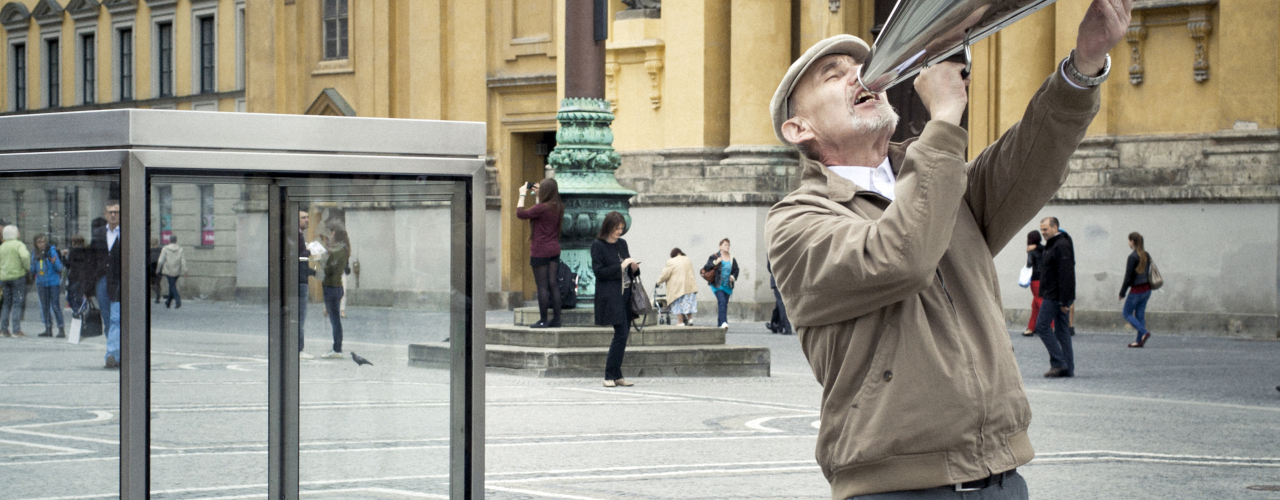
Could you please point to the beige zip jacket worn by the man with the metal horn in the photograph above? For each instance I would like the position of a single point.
(898, 305)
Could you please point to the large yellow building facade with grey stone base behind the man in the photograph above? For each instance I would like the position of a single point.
(1188, 117)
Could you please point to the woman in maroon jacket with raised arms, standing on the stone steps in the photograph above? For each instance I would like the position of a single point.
(545, 247)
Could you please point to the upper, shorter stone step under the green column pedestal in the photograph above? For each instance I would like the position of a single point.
(582, 337)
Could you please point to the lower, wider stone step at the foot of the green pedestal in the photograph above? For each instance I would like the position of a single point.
(646, 361)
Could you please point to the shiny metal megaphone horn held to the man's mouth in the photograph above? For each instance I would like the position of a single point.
(924, 33)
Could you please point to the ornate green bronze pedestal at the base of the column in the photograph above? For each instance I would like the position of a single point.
(586, 162)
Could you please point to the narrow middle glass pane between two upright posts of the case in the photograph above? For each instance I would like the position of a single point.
(209, 337)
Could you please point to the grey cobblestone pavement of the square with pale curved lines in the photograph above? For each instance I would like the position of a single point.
(1183, 419)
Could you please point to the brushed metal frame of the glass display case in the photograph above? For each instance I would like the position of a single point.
(138, 144)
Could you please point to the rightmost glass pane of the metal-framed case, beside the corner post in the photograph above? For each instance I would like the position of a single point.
(383, 262)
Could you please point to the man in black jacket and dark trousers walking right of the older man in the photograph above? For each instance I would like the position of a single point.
(1058, 291)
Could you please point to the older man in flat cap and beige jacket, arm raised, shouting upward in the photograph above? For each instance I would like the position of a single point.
(884, 258)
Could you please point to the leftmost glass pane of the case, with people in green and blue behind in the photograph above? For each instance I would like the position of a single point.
(60, 406)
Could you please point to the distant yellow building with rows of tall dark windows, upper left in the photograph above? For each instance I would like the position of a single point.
(70, 56)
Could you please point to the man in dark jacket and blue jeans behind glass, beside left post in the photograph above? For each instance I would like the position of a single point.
(107, 251)
